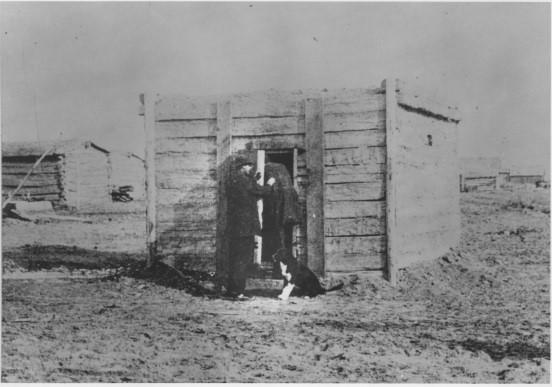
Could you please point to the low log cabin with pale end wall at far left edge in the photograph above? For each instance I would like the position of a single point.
(73, 175)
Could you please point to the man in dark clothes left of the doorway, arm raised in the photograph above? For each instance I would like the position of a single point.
(243, 221)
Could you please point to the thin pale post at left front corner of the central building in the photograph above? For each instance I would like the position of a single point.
(151, 219)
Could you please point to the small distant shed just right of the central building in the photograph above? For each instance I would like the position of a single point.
(479, 173)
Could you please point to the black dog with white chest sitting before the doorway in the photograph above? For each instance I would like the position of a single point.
(298, 278)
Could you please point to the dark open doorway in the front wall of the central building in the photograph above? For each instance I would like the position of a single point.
(274, 238)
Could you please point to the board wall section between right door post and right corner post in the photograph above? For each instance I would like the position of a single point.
(354, 224)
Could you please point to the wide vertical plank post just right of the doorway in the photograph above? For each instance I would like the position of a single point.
(314, 139)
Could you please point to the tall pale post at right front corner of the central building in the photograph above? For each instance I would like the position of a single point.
(391, 178)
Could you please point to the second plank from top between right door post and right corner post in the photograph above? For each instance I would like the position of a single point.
(367, 120)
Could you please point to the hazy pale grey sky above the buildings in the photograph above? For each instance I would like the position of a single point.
(75, 70)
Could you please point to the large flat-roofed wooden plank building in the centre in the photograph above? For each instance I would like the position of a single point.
(376, 171)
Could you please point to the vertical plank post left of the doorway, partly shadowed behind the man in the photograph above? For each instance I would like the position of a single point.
(224, 148)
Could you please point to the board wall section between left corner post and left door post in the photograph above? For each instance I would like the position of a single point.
(185, 160)
